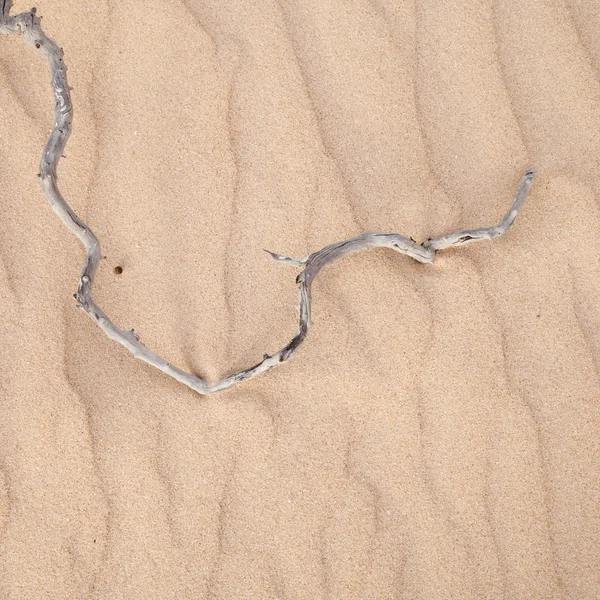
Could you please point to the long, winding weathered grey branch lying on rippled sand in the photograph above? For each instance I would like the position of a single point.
(28, 24)
